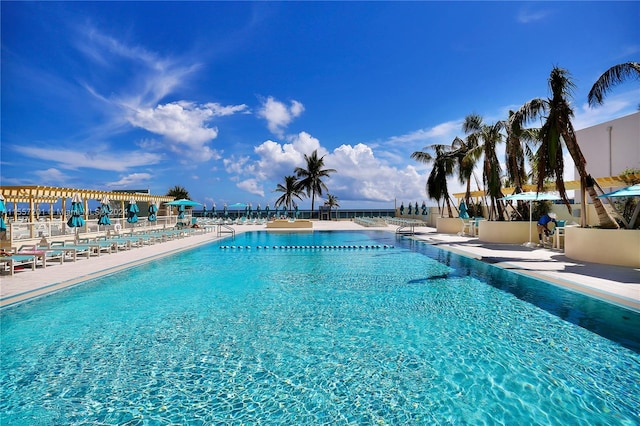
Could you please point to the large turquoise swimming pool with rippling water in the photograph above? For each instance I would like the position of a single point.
(320, 330)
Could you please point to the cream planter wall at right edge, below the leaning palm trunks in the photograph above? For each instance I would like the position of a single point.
(608, 246)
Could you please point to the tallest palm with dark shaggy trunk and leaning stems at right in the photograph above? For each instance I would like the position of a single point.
(555, 132)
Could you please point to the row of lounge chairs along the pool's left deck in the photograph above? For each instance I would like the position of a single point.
(31, 256)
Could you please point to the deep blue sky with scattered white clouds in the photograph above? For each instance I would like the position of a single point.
(225, 98)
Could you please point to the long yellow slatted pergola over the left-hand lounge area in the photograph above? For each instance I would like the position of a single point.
(38, 194)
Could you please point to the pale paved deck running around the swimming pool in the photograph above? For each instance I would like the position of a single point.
(617, 284)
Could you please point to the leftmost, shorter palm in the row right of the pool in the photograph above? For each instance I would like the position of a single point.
(443, 167)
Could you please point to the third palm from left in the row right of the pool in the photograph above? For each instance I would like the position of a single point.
(487, 138)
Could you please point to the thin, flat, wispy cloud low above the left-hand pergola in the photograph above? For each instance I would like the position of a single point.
(100, 157)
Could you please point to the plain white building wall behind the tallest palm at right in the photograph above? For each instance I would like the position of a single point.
(610, 147)
